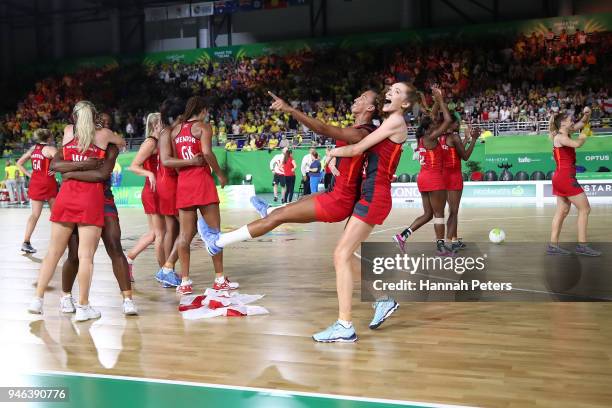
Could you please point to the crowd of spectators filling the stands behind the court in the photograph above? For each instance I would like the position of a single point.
(493, 80)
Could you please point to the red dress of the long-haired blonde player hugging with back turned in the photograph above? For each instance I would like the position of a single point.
(80, 202)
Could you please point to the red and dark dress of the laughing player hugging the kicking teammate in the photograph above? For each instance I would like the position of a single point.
(375, 202)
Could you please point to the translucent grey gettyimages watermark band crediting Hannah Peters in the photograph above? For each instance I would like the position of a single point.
(482, 272)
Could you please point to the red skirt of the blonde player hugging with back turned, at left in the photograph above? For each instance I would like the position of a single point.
(79, 202)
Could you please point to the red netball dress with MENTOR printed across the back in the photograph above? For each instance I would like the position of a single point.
(195, 186)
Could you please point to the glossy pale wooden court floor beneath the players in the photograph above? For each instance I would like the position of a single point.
(483, 354)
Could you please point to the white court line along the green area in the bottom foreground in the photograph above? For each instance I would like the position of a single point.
(269, 391)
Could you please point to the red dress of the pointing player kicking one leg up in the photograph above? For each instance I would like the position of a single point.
(337, 204)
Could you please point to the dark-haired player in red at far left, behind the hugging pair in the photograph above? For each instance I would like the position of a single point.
(43, 186)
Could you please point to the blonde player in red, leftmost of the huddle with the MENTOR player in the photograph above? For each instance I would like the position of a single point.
(145, 164)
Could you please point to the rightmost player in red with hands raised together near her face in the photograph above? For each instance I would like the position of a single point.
(564, 183)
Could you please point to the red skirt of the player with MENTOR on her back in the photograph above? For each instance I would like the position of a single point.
(195, 187)
